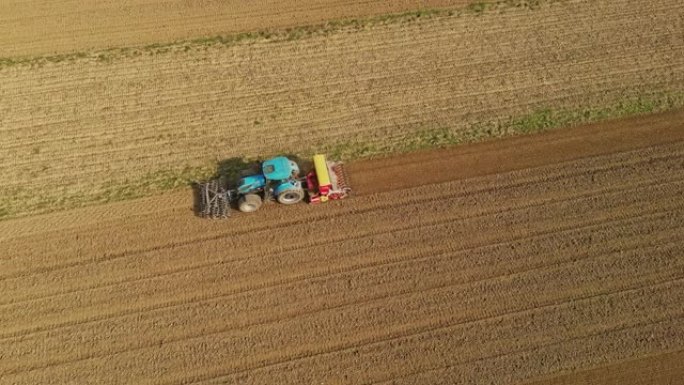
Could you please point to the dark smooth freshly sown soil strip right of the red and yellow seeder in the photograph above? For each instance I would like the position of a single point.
(501, 156)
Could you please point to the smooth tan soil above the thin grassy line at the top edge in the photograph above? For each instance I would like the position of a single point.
(35, 27)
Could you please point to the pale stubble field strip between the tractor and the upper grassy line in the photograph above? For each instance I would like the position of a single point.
(114, 125)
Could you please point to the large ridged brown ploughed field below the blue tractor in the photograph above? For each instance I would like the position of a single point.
(508, 275)
